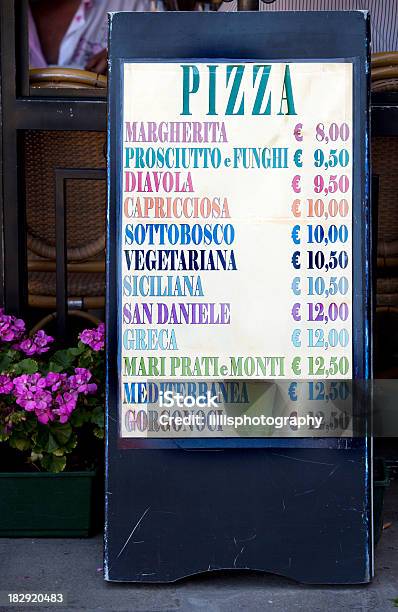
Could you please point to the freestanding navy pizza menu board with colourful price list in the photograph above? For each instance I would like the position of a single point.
(238, 296)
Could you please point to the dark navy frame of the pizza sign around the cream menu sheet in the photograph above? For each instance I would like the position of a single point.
(300, 508)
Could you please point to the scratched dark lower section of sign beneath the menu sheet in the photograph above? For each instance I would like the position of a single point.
(297, 512)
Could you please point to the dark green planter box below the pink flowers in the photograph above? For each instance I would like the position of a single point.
(43, 504)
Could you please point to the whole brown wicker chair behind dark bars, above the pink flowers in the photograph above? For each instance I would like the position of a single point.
(44, 152)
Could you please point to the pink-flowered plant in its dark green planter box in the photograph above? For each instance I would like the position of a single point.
(51, 431)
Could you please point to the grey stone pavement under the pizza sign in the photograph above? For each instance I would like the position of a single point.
(73, 567)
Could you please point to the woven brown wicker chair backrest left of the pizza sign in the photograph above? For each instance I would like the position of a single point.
(85, 199)
